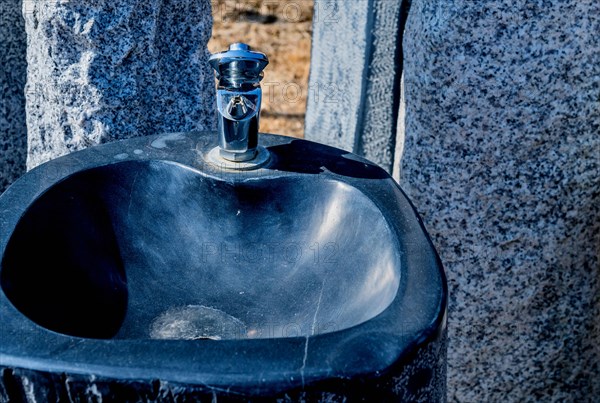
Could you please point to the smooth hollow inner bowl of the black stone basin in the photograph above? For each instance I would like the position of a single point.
(118, 247)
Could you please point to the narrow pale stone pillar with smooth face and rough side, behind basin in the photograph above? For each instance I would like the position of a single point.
(354, 88)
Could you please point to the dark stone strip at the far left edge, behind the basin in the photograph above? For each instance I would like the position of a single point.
(13, 71)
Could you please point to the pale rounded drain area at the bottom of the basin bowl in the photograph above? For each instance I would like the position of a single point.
(196, 322)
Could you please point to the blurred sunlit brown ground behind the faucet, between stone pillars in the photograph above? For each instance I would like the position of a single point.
(282, 30)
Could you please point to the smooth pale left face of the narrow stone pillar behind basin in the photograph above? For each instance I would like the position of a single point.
(336, 68)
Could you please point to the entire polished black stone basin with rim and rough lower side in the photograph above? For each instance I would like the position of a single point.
(139, 262)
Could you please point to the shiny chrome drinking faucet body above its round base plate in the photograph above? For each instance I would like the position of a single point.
(239, 71)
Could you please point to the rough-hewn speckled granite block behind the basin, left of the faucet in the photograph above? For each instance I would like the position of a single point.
(106, 70)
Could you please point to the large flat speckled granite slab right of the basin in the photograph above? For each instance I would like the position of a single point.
(501, 157)
